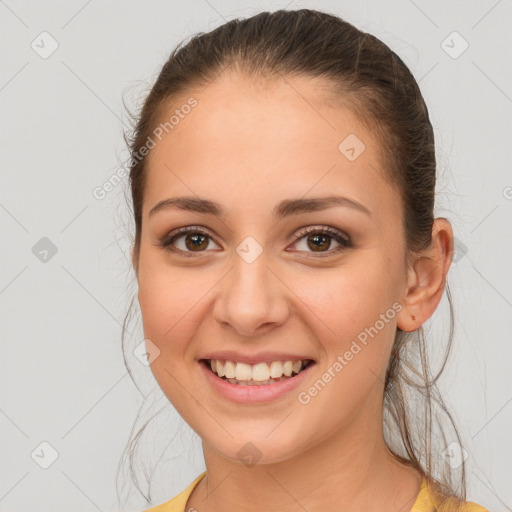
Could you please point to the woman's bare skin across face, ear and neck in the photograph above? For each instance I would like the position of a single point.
(249, 146)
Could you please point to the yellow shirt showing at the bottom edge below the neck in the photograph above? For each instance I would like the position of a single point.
(424, 501)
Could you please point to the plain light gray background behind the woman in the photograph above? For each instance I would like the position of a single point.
(61, 368)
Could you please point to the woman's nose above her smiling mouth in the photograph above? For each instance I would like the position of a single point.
(252, 299)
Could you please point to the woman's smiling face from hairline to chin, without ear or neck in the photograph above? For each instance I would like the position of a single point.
(252, 281)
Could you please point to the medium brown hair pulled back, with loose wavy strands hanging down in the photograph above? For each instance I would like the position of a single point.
(366, 76)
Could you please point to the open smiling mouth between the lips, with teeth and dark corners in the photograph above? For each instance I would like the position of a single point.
(240, 374)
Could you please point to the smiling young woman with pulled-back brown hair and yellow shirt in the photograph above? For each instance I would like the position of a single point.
(286, 252)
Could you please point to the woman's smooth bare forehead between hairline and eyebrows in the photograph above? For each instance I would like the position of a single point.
(250, 144)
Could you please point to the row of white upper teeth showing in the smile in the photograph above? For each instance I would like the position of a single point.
(260, 372)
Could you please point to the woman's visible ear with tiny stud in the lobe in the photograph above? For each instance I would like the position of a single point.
(426, 278)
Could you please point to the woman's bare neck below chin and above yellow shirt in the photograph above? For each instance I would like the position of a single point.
(350, 471)
